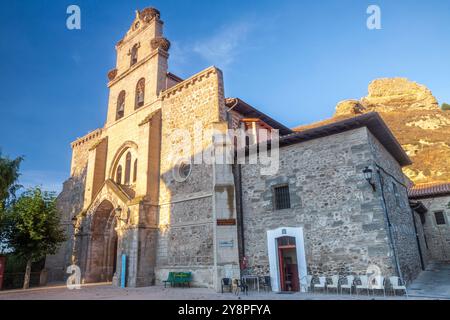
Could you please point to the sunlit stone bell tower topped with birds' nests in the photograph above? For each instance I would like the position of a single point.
(141, 67)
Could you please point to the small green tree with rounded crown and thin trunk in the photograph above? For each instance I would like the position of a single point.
(34, 227)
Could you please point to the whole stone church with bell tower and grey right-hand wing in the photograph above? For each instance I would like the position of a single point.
(337, 203)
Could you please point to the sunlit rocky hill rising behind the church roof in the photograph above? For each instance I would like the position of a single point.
(413, 114)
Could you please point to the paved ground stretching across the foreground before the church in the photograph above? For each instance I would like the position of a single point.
(434, 283)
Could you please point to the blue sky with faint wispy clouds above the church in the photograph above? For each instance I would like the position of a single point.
(293, 60)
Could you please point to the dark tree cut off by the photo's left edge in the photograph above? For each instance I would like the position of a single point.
(9, 174)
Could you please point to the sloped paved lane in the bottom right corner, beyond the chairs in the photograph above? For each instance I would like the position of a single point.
(433, 282)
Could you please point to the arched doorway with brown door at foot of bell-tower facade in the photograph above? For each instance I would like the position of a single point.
(102, 259)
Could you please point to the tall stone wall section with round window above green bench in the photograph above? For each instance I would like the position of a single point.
(186, 235)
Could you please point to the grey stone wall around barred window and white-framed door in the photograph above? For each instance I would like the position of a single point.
(343, 220)
